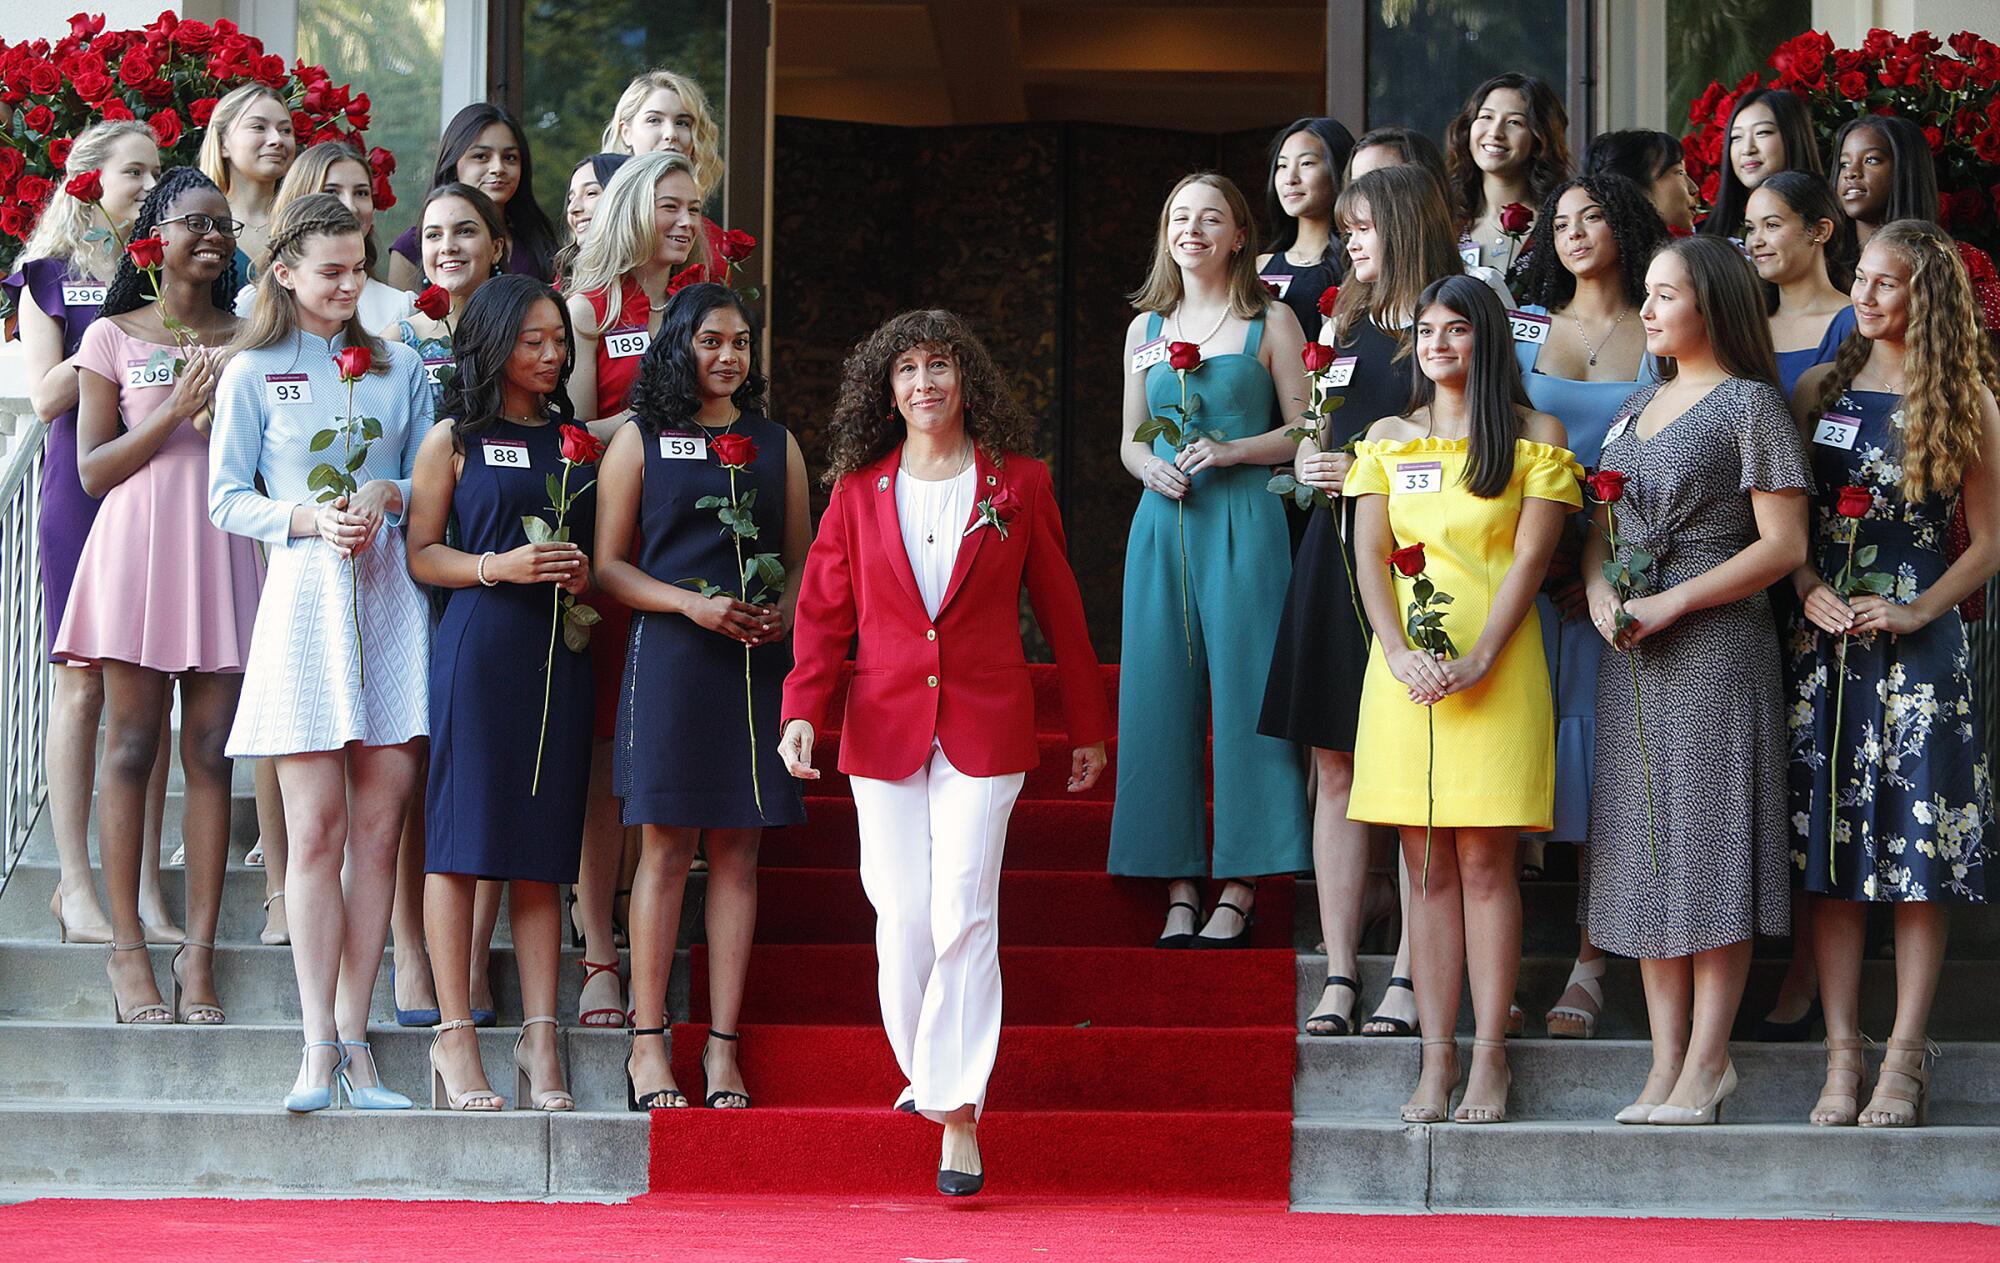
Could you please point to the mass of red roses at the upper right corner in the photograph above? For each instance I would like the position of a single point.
(1949, 89)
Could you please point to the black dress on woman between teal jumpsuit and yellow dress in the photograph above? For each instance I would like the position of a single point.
(1315, 688)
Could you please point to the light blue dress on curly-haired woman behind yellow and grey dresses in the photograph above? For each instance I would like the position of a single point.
(1587, 413)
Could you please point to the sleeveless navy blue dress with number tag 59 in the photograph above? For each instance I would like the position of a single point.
(683, 748)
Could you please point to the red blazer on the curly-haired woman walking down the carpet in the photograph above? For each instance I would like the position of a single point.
(959, 680)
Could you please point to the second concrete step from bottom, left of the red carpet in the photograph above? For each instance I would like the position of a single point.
(253, 1066)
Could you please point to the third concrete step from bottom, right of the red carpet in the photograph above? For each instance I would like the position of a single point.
(1969, 990)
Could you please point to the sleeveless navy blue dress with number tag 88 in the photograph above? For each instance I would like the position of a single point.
(483, 810)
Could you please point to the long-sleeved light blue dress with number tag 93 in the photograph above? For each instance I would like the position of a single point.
(341, 650)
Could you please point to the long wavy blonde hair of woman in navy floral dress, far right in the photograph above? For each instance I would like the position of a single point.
(1947, 361)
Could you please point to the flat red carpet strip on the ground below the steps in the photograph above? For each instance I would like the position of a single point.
(985, 1230)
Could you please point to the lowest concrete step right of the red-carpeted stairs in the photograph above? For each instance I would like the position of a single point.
(1779, 1170)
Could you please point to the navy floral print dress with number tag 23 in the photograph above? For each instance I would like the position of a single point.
(1903, 812)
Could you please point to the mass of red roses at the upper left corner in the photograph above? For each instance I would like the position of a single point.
(167, 75)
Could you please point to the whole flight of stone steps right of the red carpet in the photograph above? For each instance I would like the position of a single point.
(1567, 1156)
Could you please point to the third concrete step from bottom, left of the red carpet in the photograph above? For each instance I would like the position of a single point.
(65, 982)
